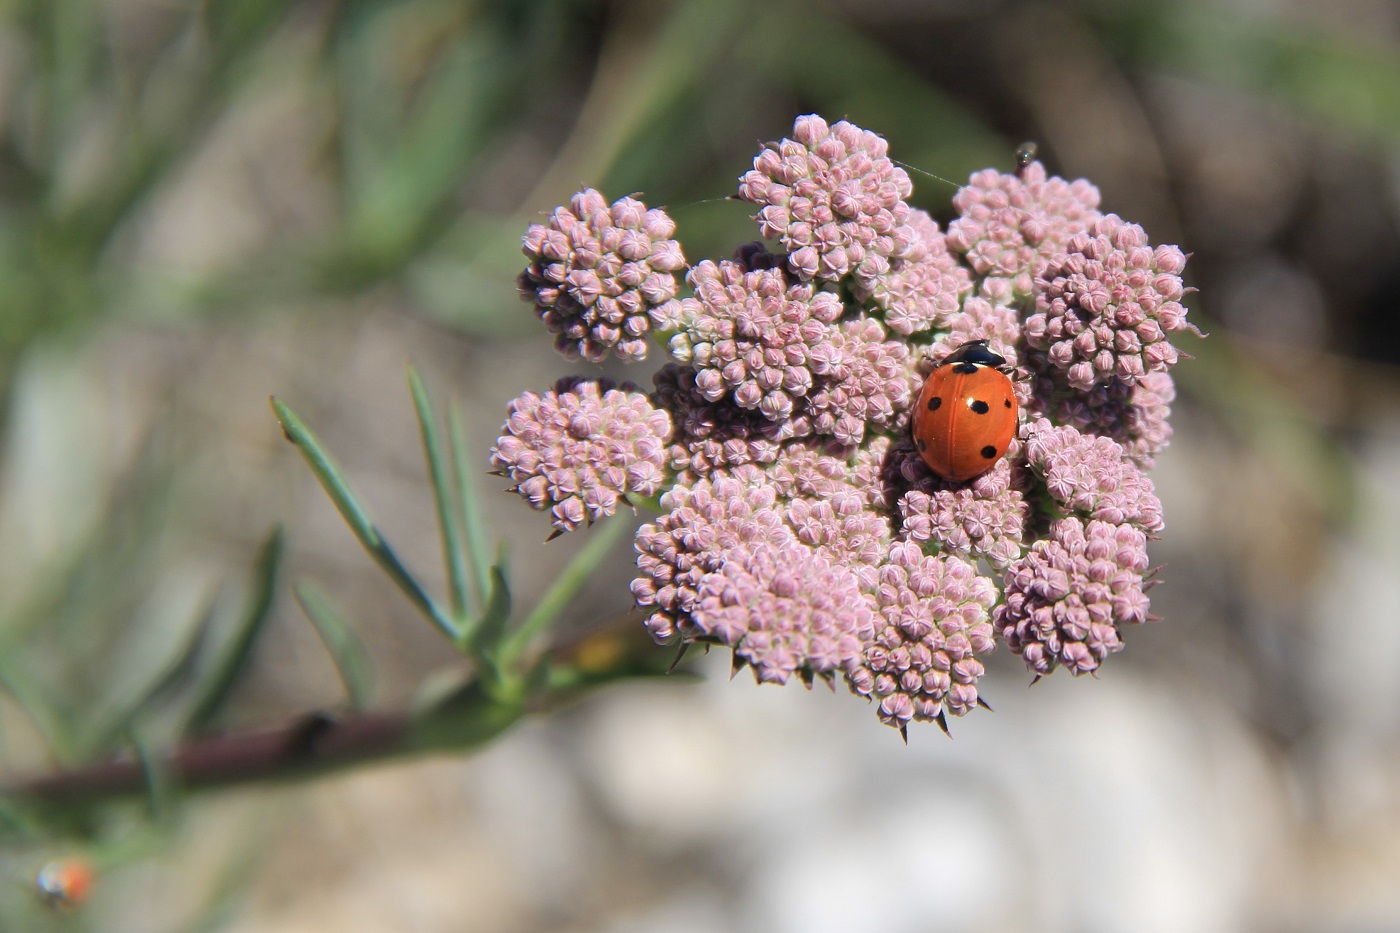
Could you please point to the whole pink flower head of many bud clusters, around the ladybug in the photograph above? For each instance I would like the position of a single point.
(799, 525)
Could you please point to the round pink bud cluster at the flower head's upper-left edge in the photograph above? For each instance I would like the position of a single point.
(603, 277)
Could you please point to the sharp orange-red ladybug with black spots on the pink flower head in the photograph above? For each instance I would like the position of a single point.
(967, 414)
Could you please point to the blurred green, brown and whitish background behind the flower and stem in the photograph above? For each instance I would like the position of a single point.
(208, 202)
